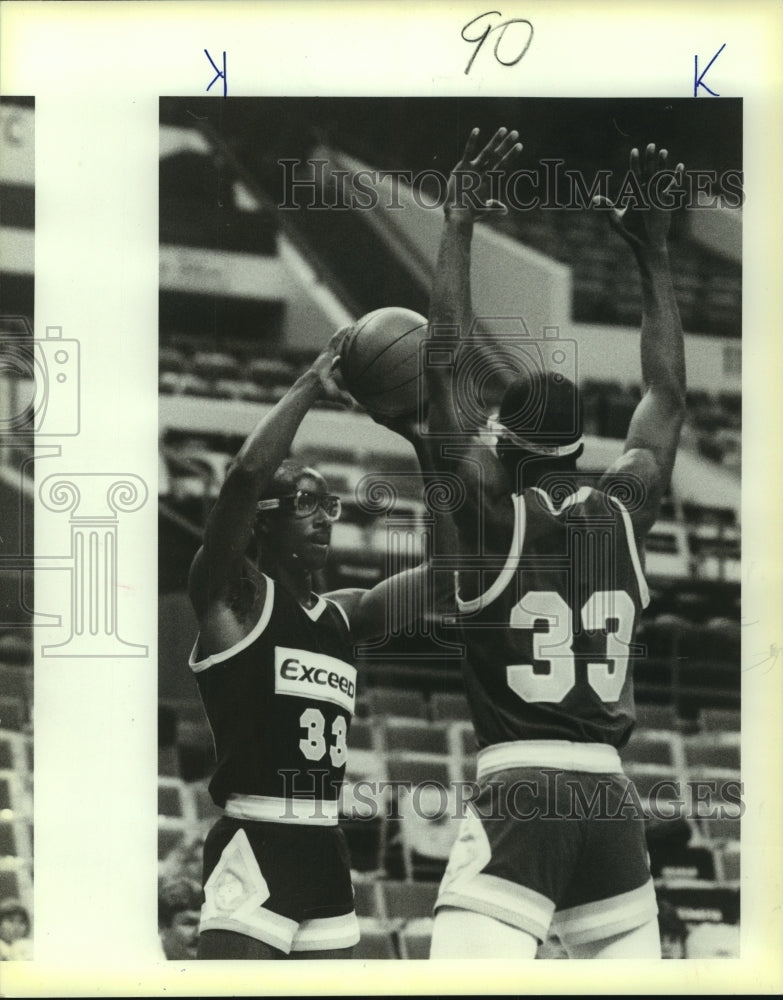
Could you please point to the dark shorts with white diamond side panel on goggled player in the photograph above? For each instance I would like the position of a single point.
(288, 885)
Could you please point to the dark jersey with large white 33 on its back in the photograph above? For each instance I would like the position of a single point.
(548, 643)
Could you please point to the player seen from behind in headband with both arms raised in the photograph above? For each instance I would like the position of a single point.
(548, 596)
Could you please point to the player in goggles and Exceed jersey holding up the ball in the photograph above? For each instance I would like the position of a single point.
(274, 666)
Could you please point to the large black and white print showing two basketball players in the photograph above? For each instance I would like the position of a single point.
(380, 320)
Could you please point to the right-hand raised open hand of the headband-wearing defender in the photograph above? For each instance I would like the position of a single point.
(647, 226)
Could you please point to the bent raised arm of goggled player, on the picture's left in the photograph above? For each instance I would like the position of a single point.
(218, 565)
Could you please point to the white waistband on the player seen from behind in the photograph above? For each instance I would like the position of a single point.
(596, 758)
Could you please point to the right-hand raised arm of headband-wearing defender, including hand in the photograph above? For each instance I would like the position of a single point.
(654, 431)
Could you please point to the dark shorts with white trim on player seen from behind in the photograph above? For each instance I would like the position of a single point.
(543, 847)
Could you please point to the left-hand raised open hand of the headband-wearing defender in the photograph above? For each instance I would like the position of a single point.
(469, 189)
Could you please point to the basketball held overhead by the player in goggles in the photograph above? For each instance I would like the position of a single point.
(380, 360)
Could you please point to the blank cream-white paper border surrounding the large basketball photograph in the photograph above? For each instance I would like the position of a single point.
(97, 71)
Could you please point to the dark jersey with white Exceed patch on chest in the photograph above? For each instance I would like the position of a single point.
(280, 703)
